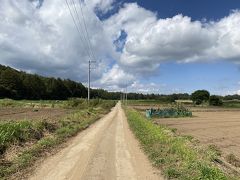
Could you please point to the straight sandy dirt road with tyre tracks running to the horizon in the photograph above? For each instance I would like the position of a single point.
(105, 151)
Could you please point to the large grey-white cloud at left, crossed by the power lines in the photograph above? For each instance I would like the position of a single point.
(44, 40)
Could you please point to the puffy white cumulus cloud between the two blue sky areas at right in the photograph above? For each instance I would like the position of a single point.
(151, 41)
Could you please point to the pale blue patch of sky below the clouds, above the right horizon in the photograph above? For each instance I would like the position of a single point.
(219, 78)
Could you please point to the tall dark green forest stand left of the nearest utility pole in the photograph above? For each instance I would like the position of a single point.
(20, 85)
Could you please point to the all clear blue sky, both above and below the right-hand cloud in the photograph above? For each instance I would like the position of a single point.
(217, 77)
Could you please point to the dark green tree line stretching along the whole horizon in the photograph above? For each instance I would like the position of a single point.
(21, 85)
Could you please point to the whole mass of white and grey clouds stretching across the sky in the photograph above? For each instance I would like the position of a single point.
(40, 37)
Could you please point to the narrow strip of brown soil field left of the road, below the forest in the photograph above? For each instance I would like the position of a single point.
(10, 113)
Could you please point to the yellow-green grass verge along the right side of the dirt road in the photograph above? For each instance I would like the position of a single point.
(176, 156)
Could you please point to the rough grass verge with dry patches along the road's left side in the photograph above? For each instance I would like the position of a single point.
(44, 136)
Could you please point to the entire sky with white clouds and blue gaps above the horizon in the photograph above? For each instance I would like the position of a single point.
(163, 47)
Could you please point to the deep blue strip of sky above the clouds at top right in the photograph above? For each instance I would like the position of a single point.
(210, 9)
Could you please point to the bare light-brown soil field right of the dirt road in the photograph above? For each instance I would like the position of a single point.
(221, 128)
